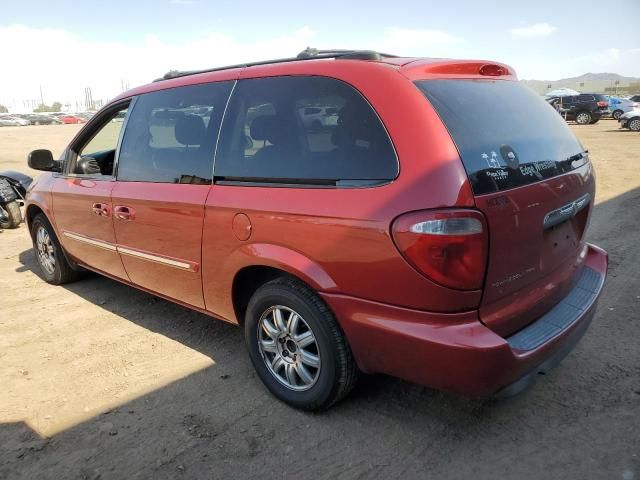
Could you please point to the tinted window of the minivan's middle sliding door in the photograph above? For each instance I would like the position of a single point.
(171, 135)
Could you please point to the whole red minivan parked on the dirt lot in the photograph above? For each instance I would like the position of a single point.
(431, 227)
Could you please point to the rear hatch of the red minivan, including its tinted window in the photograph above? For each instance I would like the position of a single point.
(532, 180)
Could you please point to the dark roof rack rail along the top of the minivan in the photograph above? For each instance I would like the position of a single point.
(307, 54)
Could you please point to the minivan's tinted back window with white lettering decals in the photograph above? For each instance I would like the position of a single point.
(506, 135)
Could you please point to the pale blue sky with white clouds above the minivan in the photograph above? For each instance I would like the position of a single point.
(65, 46)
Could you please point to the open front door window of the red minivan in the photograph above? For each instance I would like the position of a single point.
(96, 157)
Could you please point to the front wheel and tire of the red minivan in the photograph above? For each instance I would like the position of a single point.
(57, 270)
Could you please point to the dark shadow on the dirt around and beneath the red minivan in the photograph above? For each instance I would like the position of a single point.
(221, 422)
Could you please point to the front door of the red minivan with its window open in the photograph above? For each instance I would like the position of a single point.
(82, 195)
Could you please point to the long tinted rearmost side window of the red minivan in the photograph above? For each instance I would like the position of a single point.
(303, 130)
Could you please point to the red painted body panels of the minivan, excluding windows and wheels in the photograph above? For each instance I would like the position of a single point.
(340, 242)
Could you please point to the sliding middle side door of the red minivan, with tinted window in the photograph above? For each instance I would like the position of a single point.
(164, 175)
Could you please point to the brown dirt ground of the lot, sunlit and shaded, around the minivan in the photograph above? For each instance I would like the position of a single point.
(99, 380)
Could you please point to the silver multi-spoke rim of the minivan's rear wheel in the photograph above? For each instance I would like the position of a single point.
(289, 348)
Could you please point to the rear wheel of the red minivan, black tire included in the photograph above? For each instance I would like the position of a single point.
(316, 337)
